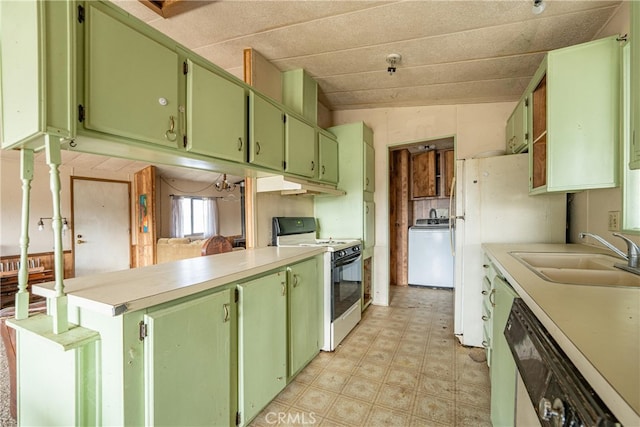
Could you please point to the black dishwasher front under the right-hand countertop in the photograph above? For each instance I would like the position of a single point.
(557, 389)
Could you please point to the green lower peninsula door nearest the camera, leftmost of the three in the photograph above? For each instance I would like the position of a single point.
(188, 362)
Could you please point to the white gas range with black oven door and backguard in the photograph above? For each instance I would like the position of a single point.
(342, 274)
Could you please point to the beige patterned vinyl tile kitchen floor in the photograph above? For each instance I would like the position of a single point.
(401, 366)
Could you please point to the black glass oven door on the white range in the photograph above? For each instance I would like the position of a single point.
(346, 286)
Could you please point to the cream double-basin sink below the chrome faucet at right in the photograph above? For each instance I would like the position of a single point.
(577, 268)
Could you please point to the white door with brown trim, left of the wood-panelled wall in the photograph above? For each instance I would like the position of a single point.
(101, 225)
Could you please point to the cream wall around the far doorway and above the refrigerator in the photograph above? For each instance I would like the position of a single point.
(477, 127)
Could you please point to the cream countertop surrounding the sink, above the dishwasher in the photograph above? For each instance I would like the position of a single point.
(598, 327)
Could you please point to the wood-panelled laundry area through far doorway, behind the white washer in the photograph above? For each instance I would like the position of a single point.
(420, 177)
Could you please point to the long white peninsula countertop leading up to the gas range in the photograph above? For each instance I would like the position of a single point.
(139, 288)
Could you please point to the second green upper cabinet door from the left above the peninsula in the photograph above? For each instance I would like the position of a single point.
(216, 115)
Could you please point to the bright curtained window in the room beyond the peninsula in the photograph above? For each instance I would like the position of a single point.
(194, 216)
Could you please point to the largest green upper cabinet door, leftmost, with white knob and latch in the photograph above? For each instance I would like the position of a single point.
(131, 81)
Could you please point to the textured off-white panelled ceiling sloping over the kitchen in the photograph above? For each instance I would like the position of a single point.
(452, 51)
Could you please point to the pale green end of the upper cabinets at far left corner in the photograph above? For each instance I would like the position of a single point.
(38, 70)
